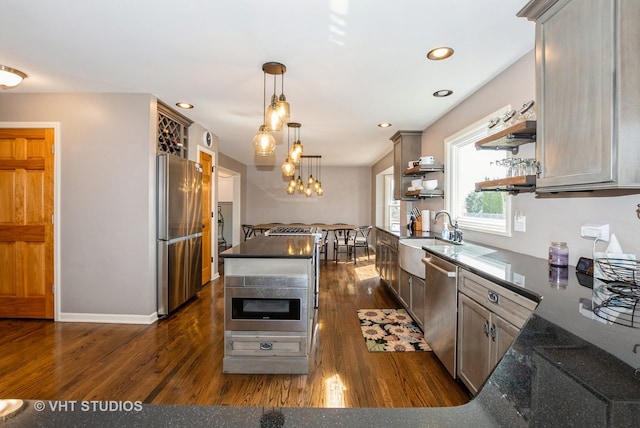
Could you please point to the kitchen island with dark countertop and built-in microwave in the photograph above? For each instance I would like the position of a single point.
(269, 287)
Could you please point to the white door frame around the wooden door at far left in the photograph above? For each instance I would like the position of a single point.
(57, 235)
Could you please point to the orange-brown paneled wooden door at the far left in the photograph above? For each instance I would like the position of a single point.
(26, 223)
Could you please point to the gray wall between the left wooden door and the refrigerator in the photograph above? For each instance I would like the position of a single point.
(106, 265)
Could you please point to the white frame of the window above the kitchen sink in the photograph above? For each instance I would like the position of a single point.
(469, 135)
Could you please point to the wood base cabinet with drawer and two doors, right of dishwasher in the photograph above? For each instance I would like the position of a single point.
(489, 319)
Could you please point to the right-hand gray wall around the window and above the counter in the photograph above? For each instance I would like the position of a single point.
(549, 218)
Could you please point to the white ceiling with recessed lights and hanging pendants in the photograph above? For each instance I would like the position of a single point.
(351, 64)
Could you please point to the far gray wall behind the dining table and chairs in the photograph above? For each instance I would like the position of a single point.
(346, 199)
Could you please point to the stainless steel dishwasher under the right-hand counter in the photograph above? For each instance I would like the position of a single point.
(441, 309)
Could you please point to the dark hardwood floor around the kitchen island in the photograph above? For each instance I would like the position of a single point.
(178, 360)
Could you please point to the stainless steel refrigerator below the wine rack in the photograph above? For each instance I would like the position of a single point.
(179, 238)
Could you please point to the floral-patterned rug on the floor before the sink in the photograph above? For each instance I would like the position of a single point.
(391, 330)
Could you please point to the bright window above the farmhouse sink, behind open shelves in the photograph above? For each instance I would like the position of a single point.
(488, 212)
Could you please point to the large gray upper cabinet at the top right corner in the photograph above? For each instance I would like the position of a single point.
(588, 93)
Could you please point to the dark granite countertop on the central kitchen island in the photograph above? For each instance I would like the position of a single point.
(294, 246)
